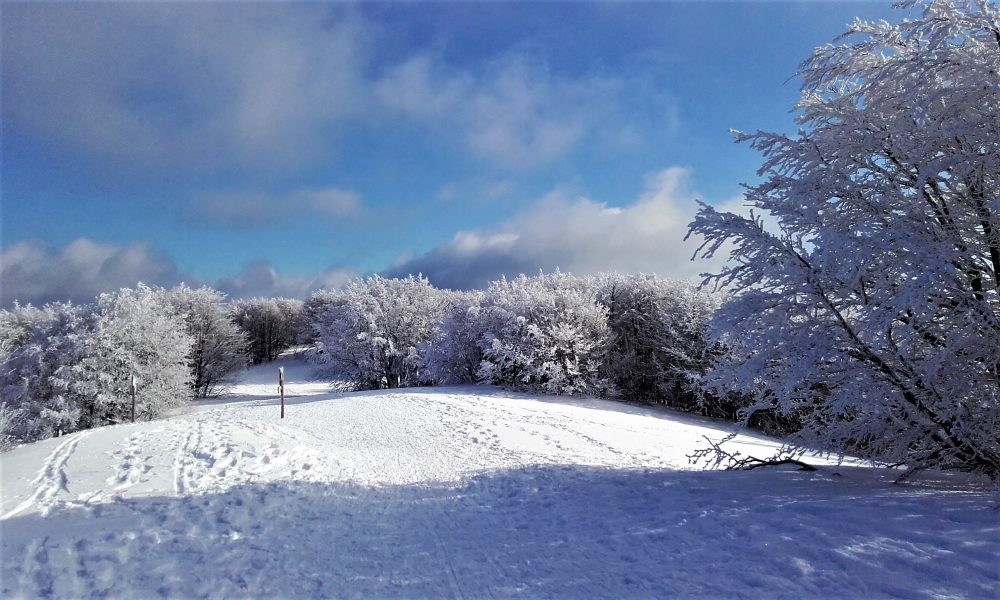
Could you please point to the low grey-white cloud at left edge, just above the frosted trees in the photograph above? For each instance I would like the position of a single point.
(37, 273)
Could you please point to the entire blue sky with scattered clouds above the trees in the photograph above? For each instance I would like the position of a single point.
(279, 148)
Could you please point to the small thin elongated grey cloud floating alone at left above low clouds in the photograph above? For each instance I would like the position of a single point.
(257, 209)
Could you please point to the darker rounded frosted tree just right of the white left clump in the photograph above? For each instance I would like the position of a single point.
(219, 349)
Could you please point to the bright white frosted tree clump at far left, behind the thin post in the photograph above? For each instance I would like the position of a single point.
(75, 369)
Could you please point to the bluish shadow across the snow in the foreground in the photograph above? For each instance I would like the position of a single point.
(537, 532)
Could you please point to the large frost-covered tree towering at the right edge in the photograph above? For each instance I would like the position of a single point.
(872, 312)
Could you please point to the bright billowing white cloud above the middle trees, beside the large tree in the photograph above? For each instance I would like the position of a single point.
(576, 234)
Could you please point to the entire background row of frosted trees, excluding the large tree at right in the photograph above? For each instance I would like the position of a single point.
(67, 367)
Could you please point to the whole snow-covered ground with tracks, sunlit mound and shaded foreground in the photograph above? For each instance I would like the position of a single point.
(466, 492)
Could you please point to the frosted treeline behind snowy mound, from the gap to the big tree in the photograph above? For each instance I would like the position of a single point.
(633, 337)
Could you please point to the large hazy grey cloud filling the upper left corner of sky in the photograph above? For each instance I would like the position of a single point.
(197, 85)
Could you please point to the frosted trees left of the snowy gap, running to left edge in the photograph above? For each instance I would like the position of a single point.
(66, 367)
